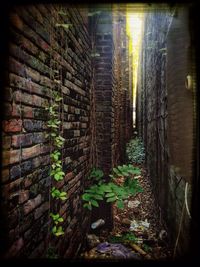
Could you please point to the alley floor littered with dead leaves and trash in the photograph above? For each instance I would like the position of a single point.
(139, 232)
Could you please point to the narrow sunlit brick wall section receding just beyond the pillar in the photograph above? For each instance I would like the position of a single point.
(123, 90)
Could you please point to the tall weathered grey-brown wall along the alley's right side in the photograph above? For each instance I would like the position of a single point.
(165, 116)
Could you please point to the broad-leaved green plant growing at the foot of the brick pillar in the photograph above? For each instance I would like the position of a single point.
(111, 191)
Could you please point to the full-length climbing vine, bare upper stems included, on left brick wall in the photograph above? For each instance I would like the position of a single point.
(54, 132)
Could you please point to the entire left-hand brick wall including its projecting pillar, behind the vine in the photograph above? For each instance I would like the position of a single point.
(95, 112)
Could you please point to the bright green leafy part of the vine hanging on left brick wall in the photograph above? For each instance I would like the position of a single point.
(57, 142)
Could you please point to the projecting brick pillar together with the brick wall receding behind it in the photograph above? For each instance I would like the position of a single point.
(112, 94)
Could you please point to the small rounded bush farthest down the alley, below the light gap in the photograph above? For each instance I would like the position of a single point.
(135, 151)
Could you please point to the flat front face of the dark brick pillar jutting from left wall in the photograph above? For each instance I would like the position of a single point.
(104, 108)
